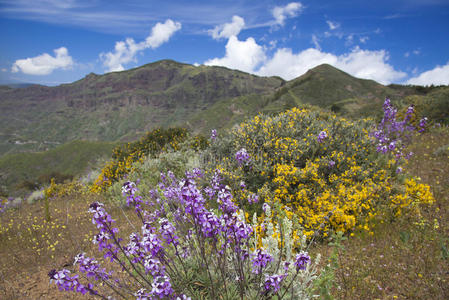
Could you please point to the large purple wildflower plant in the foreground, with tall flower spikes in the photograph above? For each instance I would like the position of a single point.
(178, 229)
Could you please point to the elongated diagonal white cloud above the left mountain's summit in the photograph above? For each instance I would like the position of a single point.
(126, 51)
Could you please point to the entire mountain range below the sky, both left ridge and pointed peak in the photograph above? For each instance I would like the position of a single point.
(124, 105)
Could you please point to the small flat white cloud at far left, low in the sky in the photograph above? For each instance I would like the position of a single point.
(44, 64)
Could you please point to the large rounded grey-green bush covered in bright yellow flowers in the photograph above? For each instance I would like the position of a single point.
(314, 167)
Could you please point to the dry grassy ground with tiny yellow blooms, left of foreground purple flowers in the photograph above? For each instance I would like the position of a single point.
(30, 246)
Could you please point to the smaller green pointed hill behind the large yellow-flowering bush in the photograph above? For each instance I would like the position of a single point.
(323, 86)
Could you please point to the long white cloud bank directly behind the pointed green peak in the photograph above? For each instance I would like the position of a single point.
(359, 63)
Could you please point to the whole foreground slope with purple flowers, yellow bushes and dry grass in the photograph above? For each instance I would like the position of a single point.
(304, 179)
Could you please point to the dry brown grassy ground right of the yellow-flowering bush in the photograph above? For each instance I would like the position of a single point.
(407, 259)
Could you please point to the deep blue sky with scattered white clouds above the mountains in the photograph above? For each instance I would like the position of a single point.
(59, 41)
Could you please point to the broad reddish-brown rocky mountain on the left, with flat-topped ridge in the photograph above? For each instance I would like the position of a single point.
(119, 105)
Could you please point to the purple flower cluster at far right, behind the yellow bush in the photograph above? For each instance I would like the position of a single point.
(393, 135)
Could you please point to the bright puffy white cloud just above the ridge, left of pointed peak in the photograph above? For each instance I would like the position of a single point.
(242, 55)
